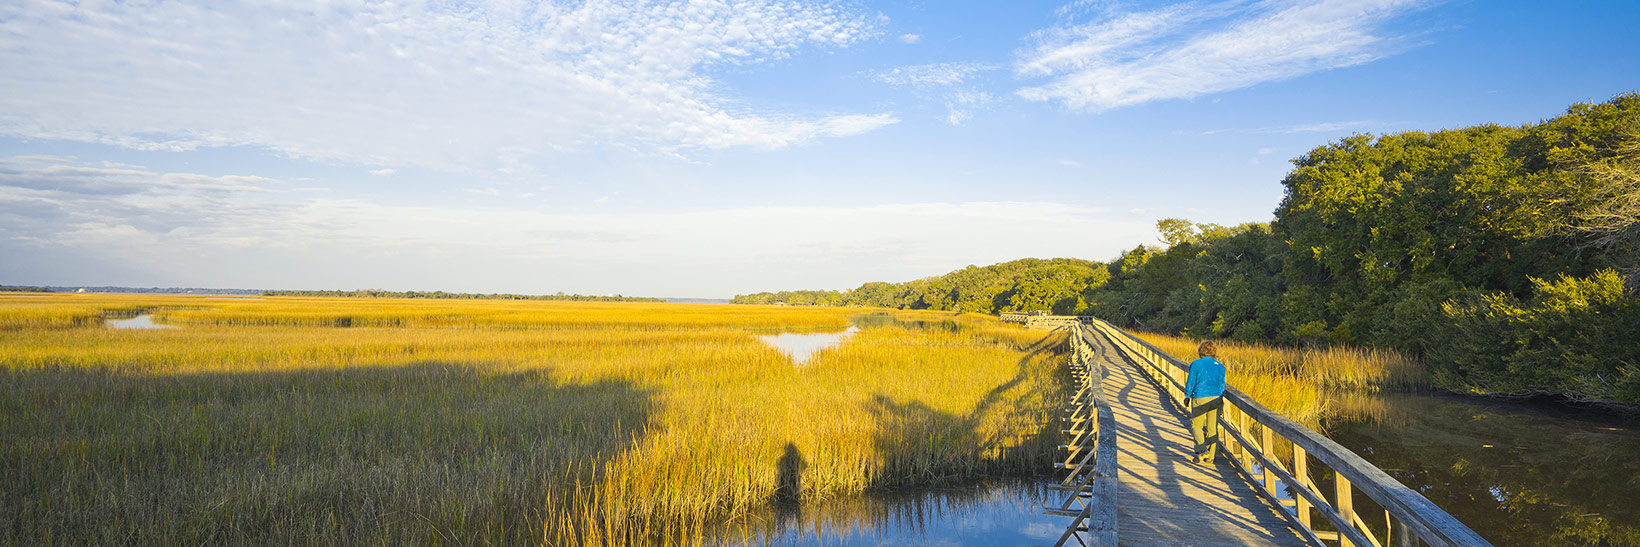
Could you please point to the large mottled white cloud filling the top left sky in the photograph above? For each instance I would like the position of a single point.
(465, 86)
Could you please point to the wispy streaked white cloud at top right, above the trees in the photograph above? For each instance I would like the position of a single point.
(1196, 48)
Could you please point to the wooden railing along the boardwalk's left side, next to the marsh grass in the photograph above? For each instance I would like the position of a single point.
(1090, 454)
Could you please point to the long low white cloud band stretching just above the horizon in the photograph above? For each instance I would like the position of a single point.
(253, 232)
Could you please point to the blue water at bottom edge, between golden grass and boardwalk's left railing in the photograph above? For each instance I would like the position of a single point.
(1006, 513)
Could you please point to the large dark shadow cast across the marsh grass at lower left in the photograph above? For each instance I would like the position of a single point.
(414, 454)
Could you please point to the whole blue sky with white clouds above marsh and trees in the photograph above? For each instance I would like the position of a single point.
(711, 148)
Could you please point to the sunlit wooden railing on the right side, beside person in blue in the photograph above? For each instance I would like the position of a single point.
(1255, 441)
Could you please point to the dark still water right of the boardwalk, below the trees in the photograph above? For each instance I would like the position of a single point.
(1519, 474)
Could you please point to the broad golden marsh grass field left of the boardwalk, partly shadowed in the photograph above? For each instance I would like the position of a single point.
(485, 422)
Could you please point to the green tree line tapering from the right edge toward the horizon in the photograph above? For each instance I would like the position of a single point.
(1506, 256)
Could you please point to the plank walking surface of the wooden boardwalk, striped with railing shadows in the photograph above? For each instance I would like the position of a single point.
(1165, 499)
